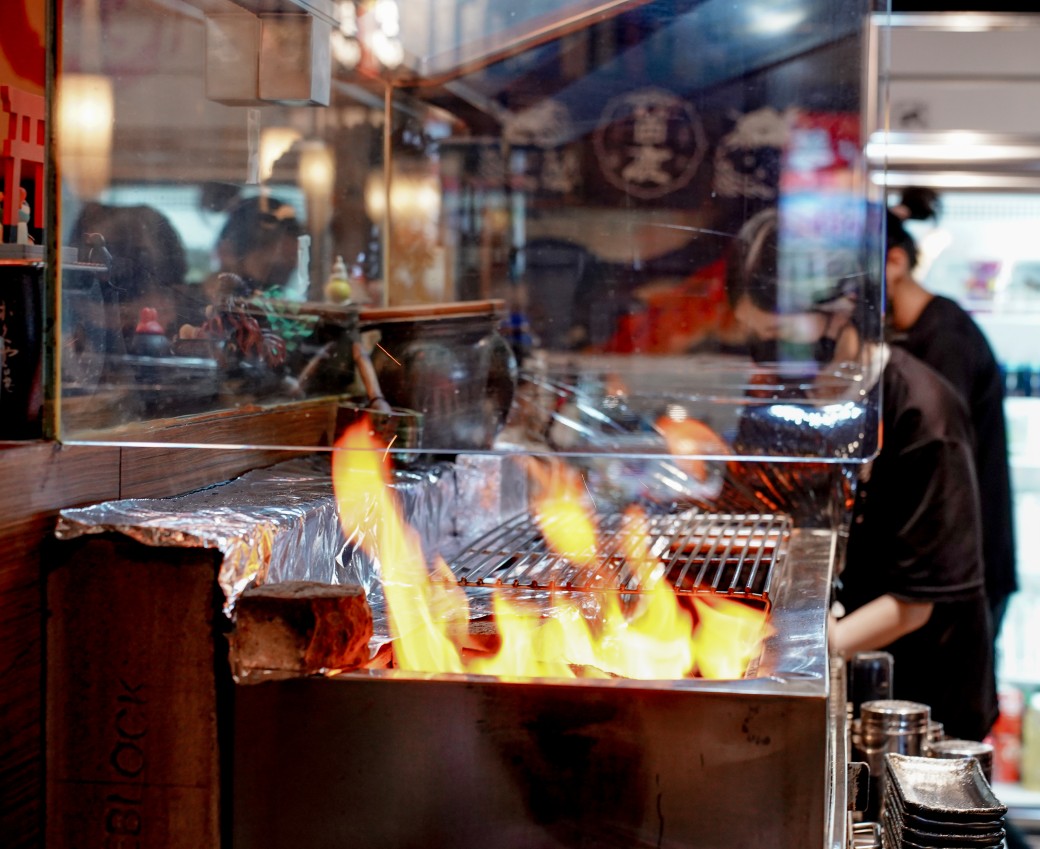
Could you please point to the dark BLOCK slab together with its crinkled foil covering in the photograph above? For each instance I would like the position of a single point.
(140, 691)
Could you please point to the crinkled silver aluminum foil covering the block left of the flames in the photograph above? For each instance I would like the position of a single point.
(281, 524)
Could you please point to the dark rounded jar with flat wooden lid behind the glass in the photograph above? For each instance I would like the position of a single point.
(450, 364)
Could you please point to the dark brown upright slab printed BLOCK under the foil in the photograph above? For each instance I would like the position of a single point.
(136, 665)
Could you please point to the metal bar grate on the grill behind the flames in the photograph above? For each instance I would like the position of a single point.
(729, 555)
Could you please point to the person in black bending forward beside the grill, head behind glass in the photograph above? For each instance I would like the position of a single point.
(913, 580)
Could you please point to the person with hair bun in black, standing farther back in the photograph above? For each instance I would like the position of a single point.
(941, 332)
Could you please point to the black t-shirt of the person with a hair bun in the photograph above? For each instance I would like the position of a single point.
(948, 340)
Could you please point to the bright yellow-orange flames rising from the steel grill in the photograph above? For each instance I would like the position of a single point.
(647, 634)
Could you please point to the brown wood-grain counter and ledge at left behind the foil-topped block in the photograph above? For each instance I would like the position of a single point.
(40, 479)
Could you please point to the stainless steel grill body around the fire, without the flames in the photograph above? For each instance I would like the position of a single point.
(409, 760)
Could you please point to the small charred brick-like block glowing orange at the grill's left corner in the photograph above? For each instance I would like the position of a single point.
(300, 628)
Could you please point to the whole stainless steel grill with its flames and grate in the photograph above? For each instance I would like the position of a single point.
(541, 735)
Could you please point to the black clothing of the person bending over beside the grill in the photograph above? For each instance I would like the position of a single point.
(916, 535)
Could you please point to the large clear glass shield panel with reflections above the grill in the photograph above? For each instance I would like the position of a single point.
(641, 235)
